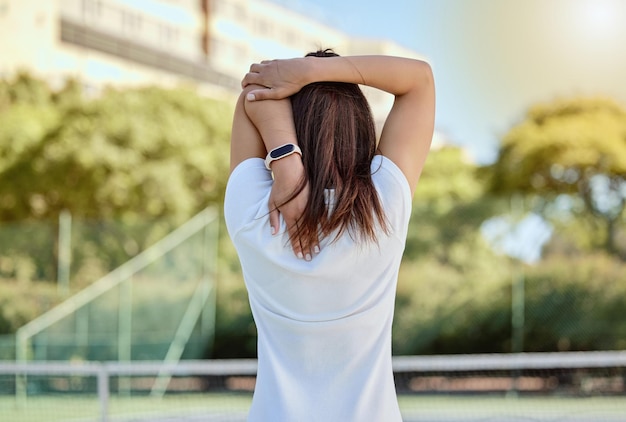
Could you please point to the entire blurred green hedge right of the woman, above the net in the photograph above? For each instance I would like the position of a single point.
(570, 304)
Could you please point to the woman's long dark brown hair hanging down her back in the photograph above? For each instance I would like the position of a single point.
(336, 132)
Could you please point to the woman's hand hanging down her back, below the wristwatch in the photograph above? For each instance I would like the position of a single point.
(288, 174)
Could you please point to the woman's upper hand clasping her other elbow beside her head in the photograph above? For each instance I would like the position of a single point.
(282, 78)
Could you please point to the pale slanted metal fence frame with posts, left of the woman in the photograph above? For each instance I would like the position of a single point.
(199, 308)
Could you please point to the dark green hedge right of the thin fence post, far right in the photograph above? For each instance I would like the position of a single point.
(576, 304)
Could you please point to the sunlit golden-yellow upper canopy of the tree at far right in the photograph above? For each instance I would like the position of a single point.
(562, 144)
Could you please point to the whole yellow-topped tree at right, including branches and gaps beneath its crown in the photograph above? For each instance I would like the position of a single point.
(571, 157)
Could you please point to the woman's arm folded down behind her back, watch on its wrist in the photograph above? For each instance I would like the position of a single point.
(259, 127)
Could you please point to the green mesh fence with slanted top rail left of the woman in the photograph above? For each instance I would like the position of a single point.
(157, 305)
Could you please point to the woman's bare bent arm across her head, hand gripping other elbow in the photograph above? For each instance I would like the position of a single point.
(409, 127)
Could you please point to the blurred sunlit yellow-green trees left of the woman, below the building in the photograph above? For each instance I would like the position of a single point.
(130, 154)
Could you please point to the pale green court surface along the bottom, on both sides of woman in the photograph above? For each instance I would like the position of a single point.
(415, 408)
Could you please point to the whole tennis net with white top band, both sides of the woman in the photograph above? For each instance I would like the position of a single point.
(585, 386)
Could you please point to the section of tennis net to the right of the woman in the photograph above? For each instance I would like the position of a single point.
(573, 386)
